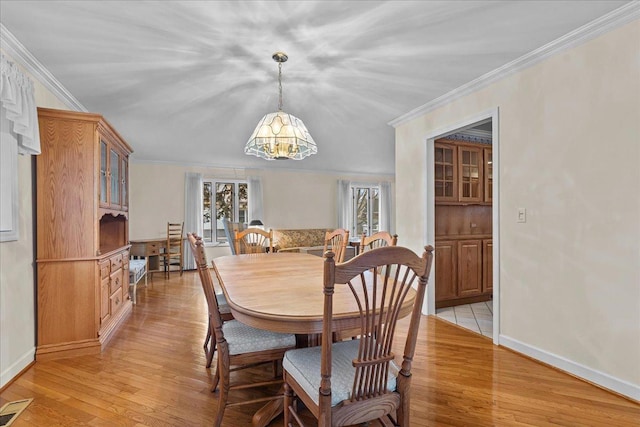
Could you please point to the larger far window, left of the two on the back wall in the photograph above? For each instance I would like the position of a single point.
(223, 199)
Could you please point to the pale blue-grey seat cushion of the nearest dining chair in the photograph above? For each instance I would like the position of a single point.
(304, 366)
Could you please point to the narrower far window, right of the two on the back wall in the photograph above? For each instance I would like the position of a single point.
(365, 209)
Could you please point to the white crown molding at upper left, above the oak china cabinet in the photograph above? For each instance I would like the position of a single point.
(20, 54)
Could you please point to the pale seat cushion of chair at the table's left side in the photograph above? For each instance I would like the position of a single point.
(246, 339)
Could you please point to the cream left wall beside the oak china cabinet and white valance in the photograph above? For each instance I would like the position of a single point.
(17, 286)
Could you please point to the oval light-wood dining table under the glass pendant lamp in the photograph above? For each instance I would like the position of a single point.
(283, 292)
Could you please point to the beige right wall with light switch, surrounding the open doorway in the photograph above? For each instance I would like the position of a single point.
(569, 139)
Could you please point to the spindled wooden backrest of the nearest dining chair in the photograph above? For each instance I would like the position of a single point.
(379, 280)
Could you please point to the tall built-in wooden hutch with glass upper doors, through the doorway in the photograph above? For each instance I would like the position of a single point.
(463, 222)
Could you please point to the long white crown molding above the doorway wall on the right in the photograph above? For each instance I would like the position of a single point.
(614, 19)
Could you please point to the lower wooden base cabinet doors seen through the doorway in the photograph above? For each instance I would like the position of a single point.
(463, 271)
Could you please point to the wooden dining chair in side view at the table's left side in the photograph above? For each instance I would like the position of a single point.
(238, 345)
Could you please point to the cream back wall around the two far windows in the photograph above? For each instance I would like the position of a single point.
(291, 199)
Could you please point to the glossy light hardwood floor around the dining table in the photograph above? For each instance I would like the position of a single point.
(152, 374)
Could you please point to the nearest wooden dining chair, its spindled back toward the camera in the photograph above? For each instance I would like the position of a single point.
(356, 381)
